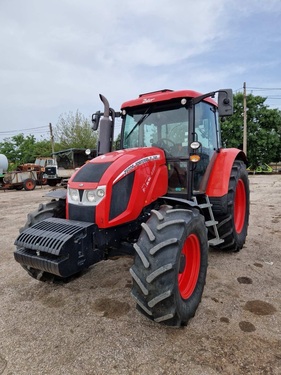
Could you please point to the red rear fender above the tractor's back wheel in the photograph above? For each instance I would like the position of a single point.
(218, 181)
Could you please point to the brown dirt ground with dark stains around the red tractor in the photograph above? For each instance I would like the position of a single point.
(91, 326)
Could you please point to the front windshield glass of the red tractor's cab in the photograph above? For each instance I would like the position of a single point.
(167, 129)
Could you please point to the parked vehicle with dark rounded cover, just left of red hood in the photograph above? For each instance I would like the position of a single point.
(65, 163)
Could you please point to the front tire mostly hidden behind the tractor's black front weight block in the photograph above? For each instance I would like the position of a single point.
(55, 208)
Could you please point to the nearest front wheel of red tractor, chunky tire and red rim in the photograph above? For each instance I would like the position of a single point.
(170, 266)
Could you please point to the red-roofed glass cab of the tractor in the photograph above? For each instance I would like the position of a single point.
(186, 128)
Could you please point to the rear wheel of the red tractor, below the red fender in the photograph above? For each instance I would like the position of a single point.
(232, 210)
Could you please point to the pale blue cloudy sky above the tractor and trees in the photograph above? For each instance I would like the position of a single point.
(57, 56)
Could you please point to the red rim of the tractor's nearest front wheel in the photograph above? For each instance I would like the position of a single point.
(188, 276)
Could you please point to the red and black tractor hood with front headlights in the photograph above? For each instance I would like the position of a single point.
(113, 188)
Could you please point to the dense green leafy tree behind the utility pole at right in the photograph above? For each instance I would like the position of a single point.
(263, 130)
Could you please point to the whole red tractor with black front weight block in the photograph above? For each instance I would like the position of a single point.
(167, 193)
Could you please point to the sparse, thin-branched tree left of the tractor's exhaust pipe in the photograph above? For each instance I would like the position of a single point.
(74, 131)
